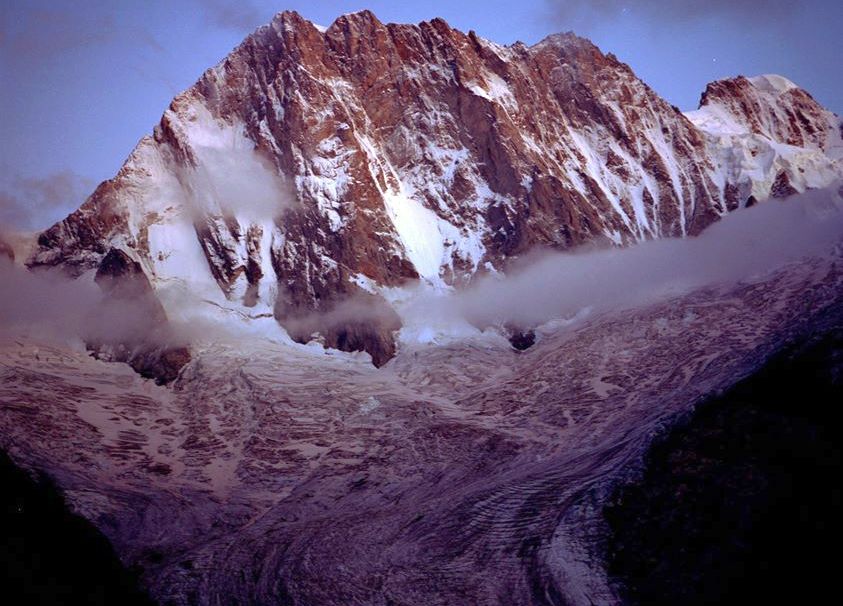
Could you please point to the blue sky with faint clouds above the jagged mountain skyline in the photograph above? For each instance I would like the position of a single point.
(81, 81)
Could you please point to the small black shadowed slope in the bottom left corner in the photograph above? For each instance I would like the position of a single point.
(51, 556)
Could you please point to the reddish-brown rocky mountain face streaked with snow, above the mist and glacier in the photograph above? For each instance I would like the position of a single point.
(315, 165)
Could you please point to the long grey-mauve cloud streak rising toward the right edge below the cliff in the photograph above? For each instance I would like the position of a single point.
(549, 286)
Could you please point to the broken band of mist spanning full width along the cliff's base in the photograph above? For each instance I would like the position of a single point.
(539, 287)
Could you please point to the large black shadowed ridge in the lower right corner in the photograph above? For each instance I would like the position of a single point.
(741, 504)
